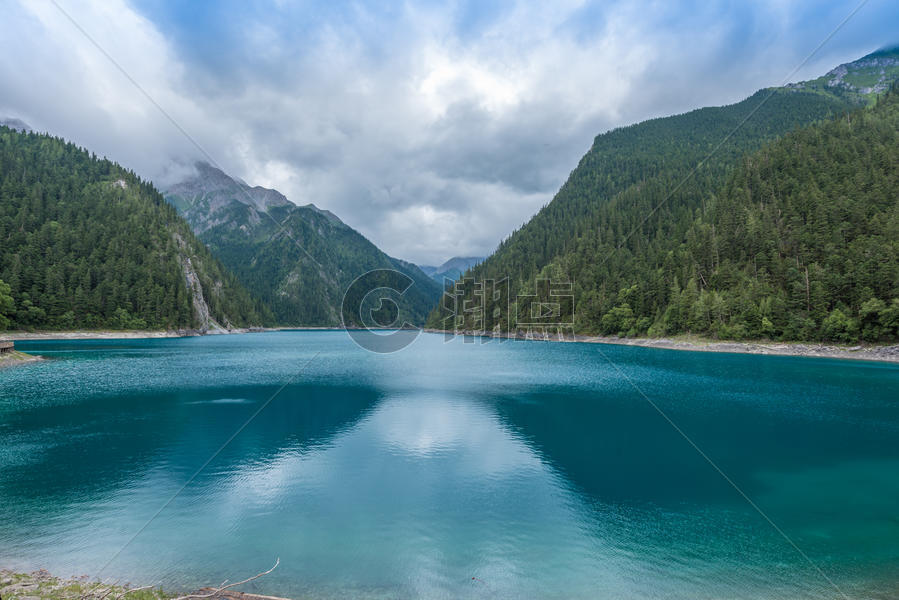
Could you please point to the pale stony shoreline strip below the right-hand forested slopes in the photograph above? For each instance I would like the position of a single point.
(877, 353)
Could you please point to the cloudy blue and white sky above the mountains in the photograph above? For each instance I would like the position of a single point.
(433, 128)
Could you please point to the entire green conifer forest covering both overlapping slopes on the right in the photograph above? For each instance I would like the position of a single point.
(797, 242)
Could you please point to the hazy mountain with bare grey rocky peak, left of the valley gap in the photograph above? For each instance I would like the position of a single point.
(299, 260)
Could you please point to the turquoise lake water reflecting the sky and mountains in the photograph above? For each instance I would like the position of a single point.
(451, 470)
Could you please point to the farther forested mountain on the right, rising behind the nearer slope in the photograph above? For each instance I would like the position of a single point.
(618, 226)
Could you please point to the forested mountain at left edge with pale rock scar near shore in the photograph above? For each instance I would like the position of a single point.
(88, 244)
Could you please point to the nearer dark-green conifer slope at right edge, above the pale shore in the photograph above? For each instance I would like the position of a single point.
(802, 243)
